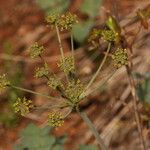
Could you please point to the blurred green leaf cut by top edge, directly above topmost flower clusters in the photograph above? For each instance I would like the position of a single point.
(50, 6)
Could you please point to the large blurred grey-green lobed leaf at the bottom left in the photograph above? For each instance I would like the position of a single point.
(35, 138)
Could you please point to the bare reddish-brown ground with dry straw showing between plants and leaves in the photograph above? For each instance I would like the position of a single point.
(21, 23)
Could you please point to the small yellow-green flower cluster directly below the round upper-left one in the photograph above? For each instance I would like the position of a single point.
(43, 71)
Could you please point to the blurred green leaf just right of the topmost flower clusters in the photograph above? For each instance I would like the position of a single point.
(81, 30)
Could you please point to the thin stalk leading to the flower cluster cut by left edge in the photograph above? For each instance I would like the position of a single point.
(33, 92)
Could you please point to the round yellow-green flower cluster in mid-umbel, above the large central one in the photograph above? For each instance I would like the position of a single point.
(66, 64)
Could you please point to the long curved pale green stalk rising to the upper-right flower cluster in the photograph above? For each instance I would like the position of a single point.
(100, 67)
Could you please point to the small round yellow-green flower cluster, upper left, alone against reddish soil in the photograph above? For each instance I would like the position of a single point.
(36, 50)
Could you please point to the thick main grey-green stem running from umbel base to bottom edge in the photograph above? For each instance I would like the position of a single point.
(93, 129)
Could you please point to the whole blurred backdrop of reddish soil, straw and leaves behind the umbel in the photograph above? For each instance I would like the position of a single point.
(22, 22)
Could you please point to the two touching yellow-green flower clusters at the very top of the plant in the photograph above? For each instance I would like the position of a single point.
(64, 21)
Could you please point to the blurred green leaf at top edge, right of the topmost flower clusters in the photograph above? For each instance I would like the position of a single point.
(91, 7)
